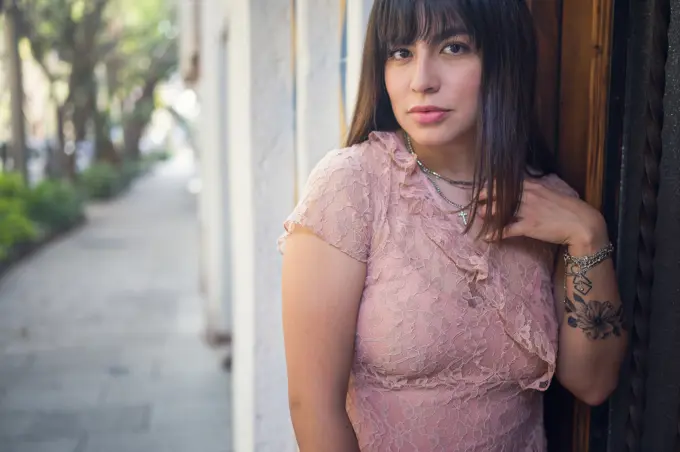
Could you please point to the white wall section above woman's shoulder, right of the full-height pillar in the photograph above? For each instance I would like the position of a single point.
(318, 106)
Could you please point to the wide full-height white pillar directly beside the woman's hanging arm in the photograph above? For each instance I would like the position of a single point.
(261, 174)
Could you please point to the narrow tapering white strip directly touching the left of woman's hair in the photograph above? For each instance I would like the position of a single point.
(358, 12)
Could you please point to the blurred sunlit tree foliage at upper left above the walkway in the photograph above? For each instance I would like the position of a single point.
(134, 41)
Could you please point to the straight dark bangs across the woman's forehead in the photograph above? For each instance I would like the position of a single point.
(403, 22)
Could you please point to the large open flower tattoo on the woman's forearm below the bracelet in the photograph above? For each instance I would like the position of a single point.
(597, 319)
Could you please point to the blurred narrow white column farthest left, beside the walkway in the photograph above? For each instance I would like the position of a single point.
(214, 211)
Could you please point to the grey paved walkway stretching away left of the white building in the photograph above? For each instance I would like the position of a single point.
(100, 347)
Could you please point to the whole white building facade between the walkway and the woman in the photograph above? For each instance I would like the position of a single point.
(275, 81)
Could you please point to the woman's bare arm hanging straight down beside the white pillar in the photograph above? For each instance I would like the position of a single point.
(322, 288)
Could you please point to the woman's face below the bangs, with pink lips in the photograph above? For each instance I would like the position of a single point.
(434, 89)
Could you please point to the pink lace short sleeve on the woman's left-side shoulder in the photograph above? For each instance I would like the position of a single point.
(336, 204)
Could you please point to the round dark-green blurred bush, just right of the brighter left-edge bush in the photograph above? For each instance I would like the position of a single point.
(55, 205)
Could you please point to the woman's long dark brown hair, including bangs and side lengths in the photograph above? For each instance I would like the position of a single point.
(509, 142)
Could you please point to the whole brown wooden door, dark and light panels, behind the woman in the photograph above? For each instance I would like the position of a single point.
(577, 53)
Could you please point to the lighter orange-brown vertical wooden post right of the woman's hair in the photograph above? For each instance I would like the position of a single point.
(585, 67)
